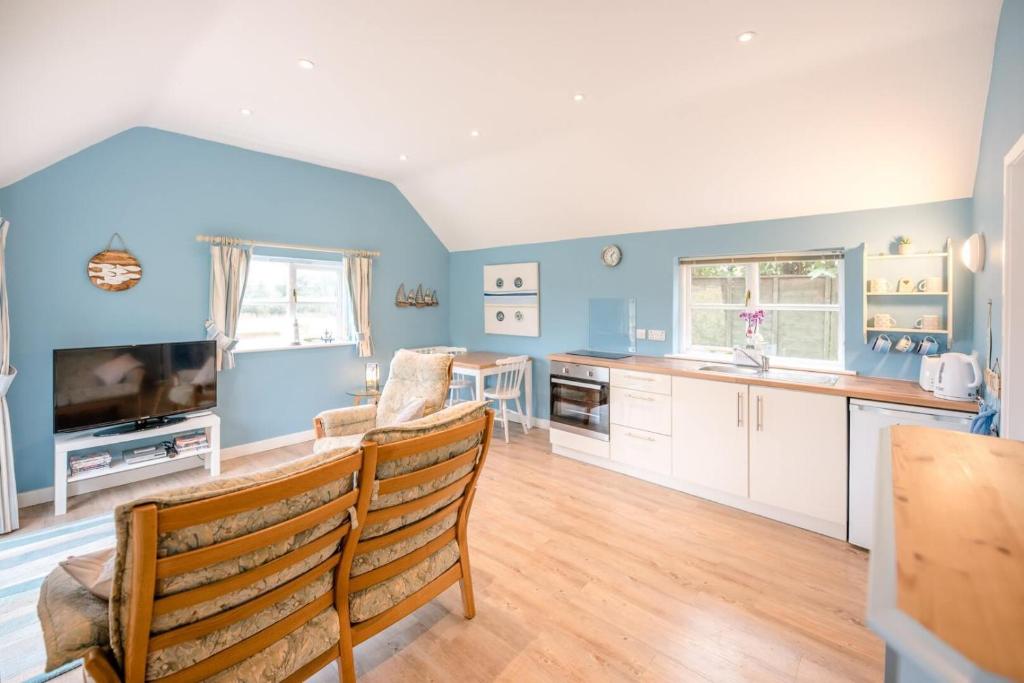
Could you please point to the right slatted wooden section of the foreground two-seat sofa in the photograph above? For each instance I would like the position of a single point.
(414, 543)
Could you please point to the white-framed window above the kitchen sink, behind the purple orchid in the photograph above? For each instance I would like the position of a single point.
(801, 294)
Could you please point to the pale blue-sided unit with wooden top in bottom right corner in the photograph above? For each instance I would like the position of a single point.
(948, 580)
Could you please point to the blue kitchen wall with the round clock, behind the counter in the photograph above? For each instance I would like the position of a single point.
(572, 273)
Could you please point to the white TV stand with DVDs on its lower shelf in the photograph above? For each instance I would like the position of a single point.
(64, 445)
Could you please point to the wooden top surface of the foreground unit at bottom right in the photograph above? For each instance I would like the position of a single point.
(959, 518)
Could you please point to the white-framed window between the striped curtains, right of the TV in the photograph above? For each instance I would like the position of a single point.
(295, 303)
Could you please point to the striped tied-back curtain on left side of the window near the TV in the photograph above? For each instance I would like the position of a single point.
(229, 271)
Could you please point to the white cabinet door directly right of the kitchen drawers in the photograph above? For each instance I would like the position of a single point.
(709, 425)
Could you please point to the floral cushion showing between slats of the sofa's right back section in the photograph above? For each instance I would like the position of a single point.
(376, 600)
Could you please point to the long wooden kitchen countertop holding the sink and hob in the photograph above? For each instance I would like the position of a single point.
(870, 389)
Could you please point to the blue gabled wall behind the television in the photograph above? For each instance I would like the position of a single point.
(160, 190)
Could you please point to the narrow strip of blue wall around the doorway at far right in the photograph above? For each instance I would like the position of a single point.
(1004, 126)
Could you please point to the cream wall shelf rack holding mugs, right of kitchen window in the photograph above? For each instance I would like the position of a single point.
(908, 307)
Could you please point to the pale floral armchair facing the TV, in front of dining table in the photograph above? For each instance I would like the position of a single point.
(413, 376)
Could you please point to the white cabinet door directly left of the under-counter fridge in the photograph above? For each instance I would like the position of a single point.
(798, 452)
